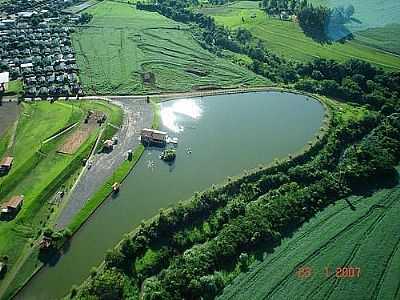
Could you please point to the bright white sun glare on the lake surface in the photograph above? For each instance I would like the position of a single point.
(170, 113)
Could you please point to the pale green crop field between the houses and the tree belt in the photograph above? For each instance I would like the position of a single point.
(121, 44)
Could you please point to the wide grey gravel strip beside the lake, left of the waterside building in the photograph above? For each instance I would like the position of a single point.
(137, 115)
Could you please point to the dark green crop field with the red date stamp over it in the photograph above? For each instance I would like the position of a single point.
(364, 234)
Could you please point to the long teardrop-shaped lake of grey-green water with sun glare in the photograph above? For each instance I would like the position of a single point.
(219, 136)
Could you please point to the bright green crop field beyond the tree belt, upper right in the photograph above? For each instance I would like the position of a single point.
(286, 38)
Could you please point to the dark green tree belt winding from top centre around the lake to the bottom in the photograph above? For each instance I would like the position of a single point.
(193, 250)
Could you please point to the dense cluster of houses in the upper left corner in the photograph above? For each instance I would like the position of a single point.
(35, 46)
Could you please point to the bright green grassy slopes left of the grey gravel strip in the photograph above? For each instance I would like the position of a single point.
(40, 173)
